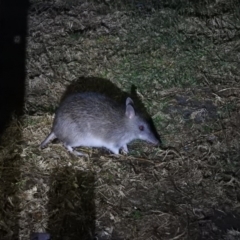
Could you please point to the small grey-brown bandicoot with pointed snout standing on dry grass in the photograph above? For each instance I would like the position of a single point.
(93, 120)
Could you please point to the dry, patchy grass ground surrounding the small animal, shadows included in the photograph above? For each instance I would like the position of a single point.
(180, 64)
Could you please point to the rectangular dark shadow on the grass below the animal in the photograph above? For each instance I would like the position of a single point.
(71, 204)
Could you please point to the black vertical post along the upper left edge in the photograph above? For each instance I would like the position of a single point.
(13, 31)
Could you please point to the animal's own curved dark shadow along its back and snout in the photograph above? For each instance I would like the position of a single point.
(106, 87)
